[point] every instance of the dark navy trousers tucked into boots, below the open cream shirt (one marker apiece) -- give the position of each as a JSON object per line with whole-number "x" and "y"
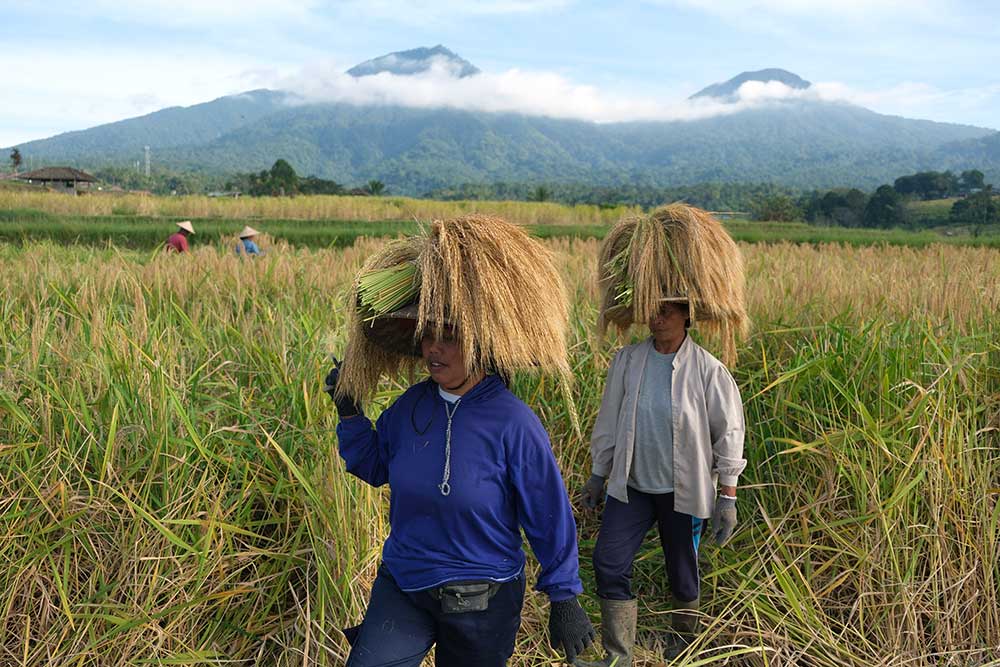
{"x": 623, "y": 527}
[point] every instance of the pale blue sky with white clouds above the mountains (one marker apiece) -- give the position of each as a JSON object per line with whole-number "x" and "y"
{"x": 70, "y": 65}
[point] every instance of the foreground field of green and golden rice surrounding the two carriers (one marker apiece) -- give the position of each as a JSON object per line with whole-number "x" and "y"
{"x": 170, "y": 491}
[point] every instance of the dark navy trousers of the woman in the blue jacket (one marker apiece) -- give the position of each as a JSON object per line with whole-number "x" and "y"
{"x": 400, "y": 628}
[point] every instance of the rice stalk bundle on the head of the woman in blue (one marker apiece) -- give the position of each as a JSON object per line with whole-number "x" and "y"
{"x": 485, "y": 277}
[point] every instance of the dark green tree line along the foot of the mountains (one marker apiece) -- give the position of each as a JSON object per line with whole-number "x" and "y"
{"x": 887, "y": 207}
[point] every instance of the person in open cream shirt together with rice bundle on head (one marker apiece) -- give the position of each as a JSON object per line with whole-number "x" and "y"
{"x": 670, "y": 428}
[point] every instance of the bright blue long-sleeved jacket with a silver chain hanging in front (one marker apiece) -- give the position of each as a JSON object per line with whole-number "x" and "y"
{"x": 504, "y": 477}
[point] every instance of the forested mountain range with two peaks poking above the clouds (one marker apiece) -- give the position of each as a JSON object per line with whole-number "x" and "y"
{"x": 799, "y": 143}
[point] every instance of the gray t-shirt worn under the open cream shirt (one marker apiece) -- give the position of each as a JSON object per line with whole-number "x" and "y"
{"x": 652, "y": 469}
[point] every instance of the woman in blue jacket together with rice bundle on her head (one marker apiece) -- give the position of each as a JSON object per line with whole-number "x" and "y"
{"x": 469, "y": 465}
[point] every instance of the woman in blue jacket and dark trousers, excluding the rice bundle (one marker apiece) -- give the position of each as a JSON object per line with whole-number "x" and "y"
{"x": 469, "y": 466}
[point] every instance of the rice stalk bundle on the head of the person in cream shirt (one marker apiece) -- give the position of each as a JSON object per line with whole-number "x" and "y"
{"x": 676, "y": 253}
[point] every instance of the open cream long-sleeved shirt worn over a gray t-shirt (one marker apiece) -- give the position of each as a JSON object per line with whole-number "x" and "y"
{"x": 708, "y": 425}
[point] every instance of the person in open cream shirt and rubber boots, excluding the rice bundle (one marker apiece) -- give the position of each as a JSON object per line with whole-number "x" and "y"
{"x": 670, "y": 427}
